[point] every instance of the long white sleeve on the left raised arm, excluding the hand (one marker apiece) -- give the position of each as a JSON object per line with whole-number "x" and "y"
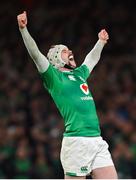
{"x": 39, "y": 59}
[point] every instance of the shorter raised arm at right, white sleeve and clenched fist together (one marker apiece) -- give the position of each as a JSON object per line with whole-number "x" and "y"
{"x": 93, "y": 56}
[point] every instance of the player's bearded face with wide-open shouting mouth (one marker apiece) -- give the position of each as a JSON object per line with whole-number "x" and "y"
{"x": 68, "y": 57}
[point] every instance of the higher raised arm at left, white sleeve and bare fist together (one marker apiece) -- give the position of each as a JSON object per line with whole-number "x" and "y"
{"x": 39, "y": 59}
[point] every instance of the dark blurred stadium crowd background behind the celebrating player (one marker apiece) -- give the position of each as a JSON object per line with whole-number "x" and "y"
{"x": 31, "y": 128}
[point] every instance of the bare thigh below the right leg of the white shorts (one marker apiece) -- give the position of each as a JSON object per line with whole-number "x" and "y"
{"x": 108, "y": 172}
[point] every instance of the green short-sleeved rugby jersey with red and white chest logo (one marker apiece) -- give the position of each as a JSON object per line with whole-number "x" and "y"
{"x": 72, "y": 97}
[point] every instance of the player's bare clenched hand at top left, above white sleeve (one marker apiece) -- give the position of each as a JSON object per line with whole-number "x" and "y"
{"x": 22, "y": 20}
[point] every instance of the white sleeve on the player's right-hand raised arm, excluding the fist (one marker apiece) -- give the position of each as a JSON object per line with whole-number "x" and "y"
{"x": 93, "y": 57}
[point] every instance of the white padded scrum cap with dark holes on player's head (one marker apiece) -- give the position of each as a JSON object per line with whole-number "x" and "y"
{"x": 54, "y": 56}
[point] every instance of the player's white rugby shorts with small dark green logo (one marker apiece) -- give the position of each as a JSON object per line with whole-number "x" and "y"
{"x": 80, "y": 155}
